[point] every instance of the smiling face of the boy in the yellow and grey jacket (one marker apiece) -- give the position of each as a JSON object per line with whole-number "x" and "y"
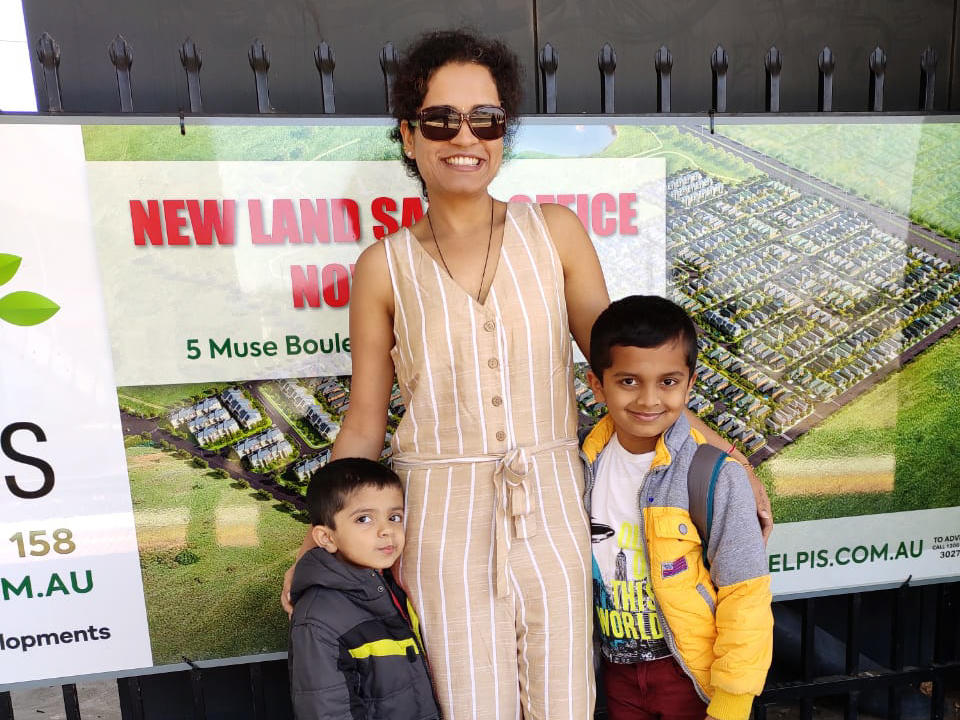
{"x": 645, "y": 390}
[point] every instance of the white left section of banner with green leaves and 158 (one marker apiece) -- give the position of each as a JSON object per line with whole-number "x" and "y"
{"x": 70, "y": 588}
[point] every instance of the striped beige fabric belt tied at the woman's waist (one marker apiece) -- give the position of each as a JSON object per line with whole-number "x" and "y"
{"x": 516, "y": 504}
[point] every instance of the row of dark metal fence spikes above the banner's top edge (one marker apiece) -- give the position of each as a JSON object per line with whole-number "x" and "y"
{"x": 120, "y": 54}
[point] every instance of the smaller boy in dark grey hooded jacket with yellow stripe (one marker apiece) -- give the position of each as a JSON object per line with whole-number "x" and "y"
{"x": 355, "y": 649}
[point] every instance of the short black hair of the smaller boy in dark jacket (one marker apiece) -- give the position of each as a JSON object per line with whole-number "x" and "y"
{"x": 332, "y": 484}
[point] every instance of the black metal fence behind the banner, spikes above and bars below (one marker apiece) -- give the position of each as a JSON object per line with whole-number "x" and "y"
{"x": 828, "y": 649}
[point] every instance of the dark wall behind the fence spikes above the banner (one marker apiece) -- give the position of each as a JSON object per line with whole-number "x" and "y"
{"x": 357, "y": 30}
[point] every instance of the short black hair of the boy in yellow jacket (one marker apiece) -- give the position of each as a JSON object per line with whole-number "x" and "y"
{"x": 641, "y": 321}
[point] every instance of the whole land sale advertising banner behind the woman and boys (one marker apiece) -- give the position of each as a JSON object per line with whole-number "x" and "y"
{"x": 201, "y": 283}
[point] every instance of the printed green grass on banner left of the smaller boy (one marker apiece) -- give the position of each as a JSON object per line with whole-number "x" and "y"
{"x": 225, "y": 604}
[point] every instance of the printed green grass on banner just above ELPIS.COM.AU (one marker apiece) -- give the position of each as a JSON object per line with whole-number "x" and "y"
{"x": 911, "y": 415}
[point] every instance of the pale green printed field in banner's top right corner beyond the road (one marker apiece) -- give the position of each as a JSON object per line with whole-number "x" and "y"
{"x": 913, "y": 169}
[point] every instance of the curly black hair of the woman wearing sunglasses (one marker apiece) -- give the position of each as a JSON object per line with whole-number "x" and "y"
{"x": 434, "y": 50}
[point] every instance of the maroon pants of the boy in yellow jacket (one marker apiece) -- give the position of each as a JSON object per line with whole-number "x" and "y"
{"x": 655, "y": 690}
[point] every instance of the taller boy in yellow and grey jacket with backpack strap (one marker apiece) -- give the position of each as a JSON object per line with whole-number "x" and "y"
{"x": 675, "y": 635}
